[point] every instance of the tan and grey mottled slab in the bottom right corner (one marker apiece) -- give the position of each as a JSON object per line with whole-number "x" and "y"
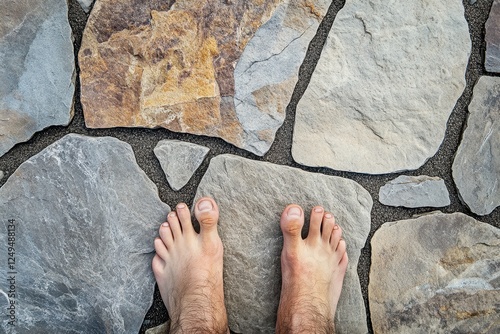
{"x": 435, "y": 274}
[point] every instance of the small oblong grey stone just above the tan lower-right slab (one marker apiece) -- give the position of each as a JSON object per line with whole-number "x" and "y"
{"x": 415, "y": 192}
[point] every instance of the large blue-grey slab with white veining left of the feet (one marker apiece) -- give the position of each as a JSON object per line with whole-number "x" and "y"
{"x": 85, "y": 219}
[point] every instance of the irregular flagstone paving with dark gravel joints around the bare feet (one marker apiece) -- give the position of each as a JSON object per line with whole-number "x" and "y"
{"x": 386, "y": 89}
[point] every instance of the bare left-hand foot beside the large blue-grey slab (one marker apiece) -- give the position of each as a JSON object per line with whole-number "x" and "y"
{"x": 188, "y": 270}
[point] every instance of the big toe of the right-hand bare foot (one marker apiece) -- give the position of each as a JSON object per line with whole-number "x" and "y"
{"x": 292, "y": 221}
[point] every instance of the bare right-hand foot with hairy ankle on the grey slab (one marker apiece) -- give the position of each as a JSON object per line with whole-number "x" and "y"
{"x": 312, "y": 269}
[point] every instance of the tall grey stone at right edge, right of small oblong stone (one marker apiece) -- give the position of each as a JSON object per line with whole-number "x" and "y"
{"x": 476, "y": 169}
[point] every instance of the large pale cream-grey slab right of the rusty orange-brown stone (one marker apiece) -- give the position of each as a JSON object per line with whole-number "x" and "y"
{"x": 381, "y": 94}
